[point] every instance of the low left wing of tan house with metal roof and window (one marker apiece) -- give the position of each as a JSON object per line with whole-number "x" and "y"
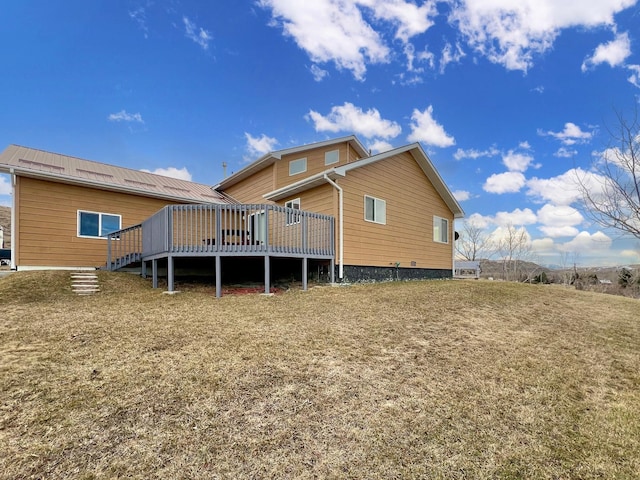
{"x": 63, "y": 206}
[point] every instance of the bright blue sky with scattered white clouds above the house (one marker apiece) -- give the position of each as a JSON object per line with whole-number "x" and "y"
{"x": 508, "y": 97}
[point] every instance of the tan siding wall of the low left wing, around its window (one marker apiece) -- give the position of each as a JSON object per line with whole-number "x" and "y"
{"x": 47, "y": 222}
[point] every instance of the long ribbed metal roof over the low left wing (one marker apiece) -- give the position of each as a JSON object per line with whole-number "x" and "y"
{"x": 35, "y": 163}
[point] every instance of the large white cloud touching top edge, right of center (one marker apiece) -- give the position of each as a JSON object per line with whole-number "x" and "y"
{"x": 511, "y": 33}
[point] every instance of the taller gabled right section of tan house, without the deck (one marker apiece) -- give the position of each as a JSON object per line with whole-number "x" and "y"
{"x": 393, "y": 211}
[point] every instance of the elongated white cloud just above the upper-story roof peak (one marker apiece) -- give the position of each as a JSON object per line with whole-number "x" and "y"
{"x": 352, "y": 119}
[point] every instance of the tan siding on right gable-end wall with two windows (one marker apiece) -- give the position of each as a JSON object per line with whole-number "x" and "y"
{"x": 411, "y": 203}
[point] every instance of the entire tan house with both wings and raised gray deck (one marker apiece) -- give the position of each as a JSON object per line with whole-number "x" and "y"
{"x": 331, "y": 204}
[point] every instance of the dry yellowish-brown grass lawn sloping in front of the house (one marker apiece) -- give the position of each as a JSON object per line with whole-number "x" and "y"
{"x": 439, "y": 379}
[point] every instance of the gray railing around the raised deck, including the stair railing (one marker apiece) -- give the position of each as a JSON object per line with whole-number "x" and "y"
{"x": 203, "y": 230}
